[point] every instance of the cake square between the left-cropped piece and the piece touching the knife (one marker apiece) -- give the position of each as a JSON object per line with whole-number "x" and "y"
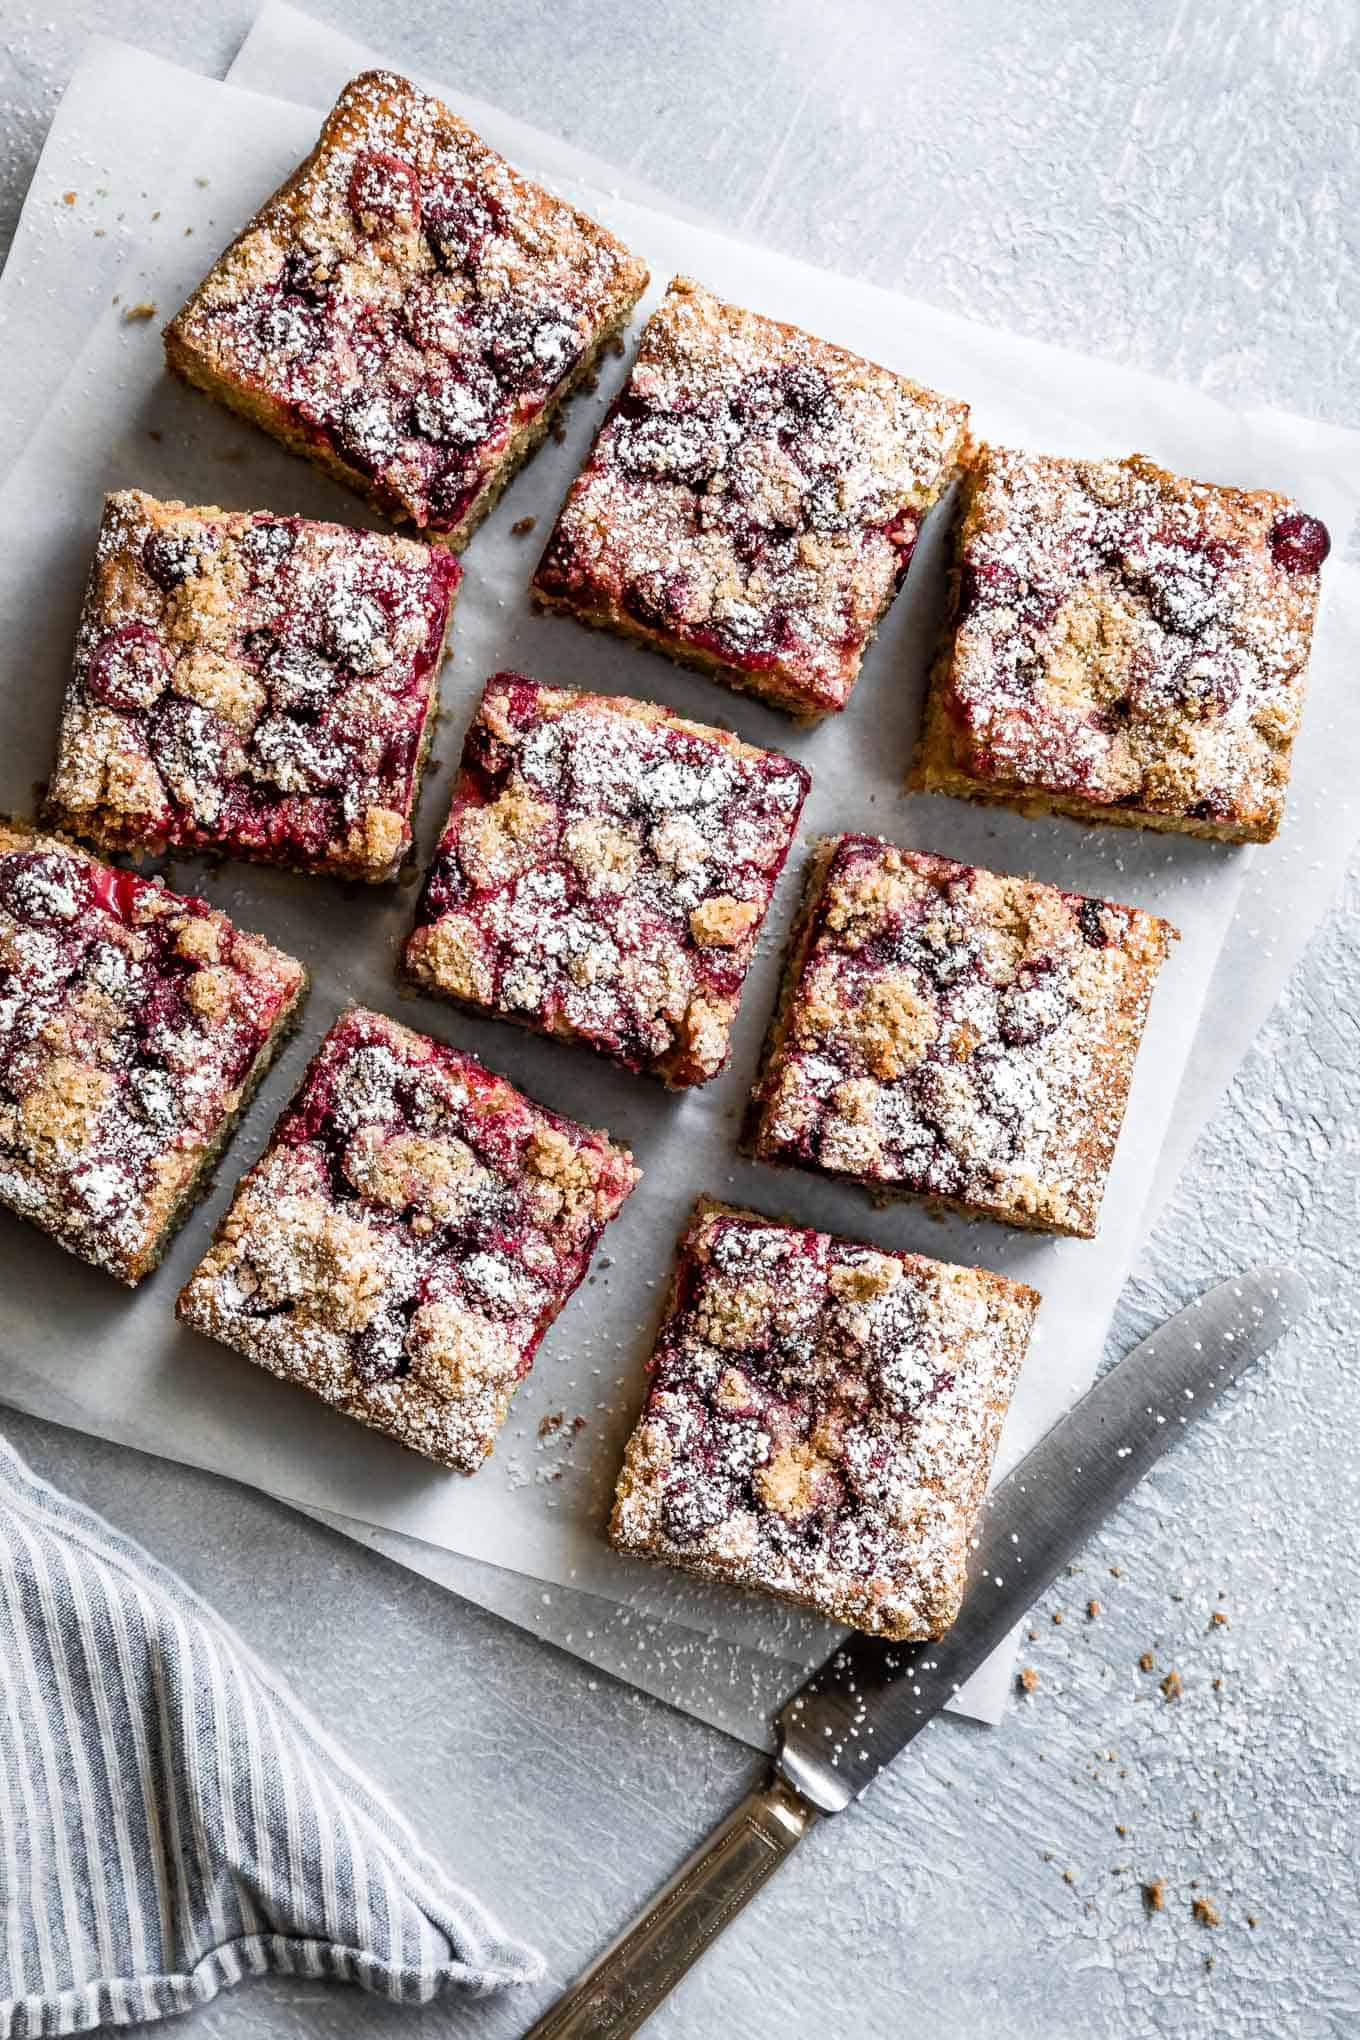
{"x": 409, "y": 1237}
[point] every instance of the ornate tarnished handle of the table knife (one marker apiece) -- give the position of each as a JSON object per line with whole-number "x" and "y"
{"x": 625, "y": 1986}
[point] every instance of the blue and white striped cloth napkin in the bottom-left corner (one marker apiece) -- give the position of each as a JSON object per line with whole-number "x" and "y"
{"x": 170, "y": 1819}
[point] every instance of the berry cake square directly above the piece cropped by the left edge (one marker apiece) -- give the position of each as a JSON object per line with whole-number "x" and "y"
{"x": 252, "y": 684}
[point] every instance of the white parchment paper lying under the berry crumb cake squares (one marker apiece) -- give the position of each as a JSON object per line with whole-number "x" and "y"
{"x": 85, "y": 1354}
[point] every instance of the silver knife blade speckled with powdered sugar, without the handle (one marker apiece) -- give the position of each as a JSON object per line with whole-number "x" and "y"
{"x": 872, "y": 1698}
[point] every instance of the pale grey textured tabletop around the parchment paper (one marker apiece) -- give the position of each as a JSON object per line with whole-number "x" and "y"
{"x": 1163, "y": 185}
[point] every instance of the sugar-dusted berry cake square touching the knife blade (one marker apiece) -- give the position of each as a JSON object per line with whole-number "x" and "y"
{"x": 821, "y": 1421}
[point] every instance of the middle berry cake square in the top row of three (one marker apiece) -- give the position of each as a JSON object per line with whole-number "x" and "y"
{"x": 753, "y": 501}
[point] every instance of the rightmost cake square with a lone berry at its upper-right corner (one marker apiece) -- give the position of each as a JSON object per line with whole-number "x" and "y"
{"x": 1131, "y": 648}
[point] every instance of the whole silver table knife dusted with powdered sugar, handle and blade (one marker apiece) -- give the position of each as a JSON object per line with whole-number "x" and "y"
{"x": 872, "y": 1698}
